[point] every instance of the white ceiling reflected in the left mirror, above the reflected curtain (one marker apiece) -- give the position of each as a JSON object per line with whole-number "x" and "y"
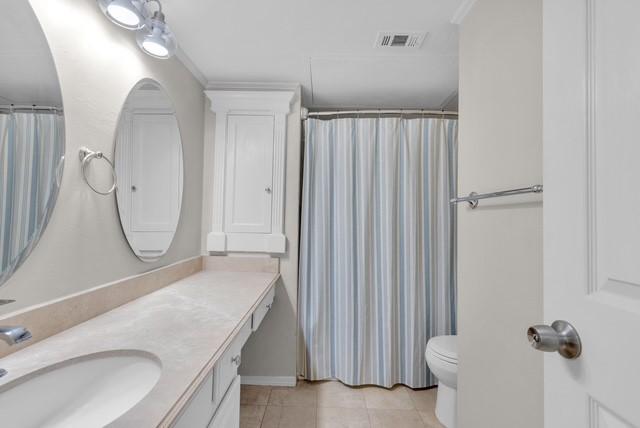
{"x": 28, "y": 75}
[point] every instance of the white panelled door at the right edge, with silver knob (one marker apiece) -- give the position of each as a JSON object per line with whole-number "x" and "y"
{"x": 591, "y": 60}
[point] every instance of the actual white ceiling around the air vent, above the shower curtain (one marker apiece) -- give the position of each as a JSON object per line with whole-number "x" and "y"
{"x": 326, "y": 46}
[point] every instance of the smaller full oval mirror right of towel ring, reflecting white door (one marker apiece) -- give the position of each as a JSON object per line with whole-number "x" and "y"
{"x": 148, "y": 160}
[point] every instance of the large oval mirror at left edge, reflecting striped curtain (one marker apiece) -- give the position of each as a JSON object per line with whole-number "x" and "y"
{"x": 31, "y": 134}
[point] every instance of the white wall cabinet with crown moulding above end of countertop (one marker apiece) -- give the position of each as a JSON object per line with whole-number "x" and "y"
{"x": 249, "y": 170}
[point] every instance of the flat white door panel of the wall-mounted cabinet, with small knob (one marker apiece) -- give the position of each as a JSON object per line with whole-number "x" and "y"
{"x": 249, "y": 173}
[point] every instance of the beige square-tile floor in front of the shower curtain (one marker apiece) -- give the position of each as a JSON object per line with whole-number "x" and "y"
{"x": 334, "y": 405}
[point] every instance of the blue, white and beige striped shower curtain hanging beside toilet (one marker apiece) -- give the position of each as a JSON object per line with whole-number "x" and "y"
{"x": 377, "y": 274}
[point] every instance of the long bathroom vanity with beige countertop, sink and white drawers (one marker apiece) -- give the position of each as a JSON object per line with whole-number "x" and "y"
{"x": 189, "y": 333}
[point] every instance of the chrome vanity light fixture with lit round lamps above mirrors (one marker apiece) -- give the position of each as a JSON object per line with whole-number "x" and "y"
{"x": 153, "y": 34}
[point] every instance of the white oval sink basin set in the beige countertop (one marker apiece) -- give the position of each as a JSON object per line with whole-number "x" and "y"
{"x": 89, "y": 391}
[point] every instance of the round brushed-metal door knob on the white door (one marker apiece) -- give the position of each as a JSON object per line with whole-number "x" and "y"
{"x": 560, "y": 337}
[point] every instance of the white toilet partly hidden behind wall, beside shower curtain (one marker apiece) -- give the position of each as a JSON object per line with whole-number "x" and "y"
{"x": 442, "y": 359}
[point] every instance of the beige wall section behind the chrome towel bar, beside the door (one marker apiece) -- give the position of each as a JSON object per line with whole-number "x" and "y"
{"x": 500, "y": 243}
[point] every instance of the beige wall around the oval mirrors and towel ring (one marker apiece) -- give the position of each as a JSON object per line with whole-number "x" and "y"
{"x": 98, "y": 63}
